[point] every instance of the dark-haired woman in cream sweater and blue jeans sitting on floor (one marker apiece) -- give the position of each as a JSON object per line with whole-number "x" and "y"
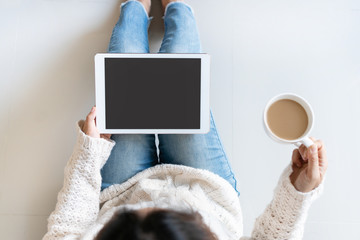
{"x": 117, "y": 187}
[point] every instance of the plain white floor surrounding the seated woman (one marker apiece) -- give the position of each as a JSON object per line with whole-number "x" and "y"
{"x": 258, "y": 48}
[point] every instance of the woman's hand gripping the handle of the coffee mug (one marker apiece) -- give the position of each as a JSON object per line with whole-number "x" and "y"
{"x": 309, "y": 166}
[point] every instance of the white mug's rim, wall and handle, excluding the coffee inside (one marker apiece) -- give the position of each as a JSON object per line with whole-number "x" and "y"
{"x": 304, "y": 139}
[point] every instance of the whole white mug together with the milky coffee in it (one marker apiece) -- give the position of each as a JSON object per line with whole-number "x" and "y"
{"x": 288, "y": 118}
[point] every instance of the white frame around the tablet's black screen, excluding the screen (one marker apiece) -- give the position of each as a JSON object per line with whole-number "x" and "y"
{"x": 204, "y": 93}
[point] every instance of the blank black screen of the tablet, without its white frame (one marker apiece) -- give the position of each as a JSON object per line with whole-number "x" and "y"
{"x": 152, "y": 93}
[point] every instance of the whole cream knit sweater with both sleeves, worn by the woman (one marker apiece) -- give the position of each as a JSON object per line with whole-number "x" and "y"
{"x": 82, "y": 210}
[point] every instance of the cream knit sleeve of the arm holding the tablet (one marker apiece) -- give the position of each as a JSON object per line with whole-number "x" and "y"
{"x": 78, "y": 201}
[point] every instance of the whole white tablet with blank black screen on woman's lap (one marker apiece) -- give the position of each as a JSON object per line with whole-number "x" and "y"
{"x": 152, "y": 93}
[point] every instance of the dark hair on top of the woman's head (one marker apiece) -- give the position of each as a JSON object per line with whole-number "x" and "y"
{"x": 156, "y": 225}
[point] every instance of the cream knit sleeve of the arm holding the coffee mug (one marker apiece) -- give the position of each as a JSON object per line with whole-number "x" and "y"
{"x": 285, "y": 216}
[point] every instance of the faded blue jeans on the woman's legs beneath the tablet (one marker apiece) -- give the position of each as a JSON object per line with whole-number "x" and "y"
{"x": 134, "y": 153}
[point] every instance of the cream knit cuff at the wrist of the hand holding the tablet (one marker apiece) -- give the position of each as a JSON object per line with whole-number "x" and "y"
{"x": 95, "y": 146}
